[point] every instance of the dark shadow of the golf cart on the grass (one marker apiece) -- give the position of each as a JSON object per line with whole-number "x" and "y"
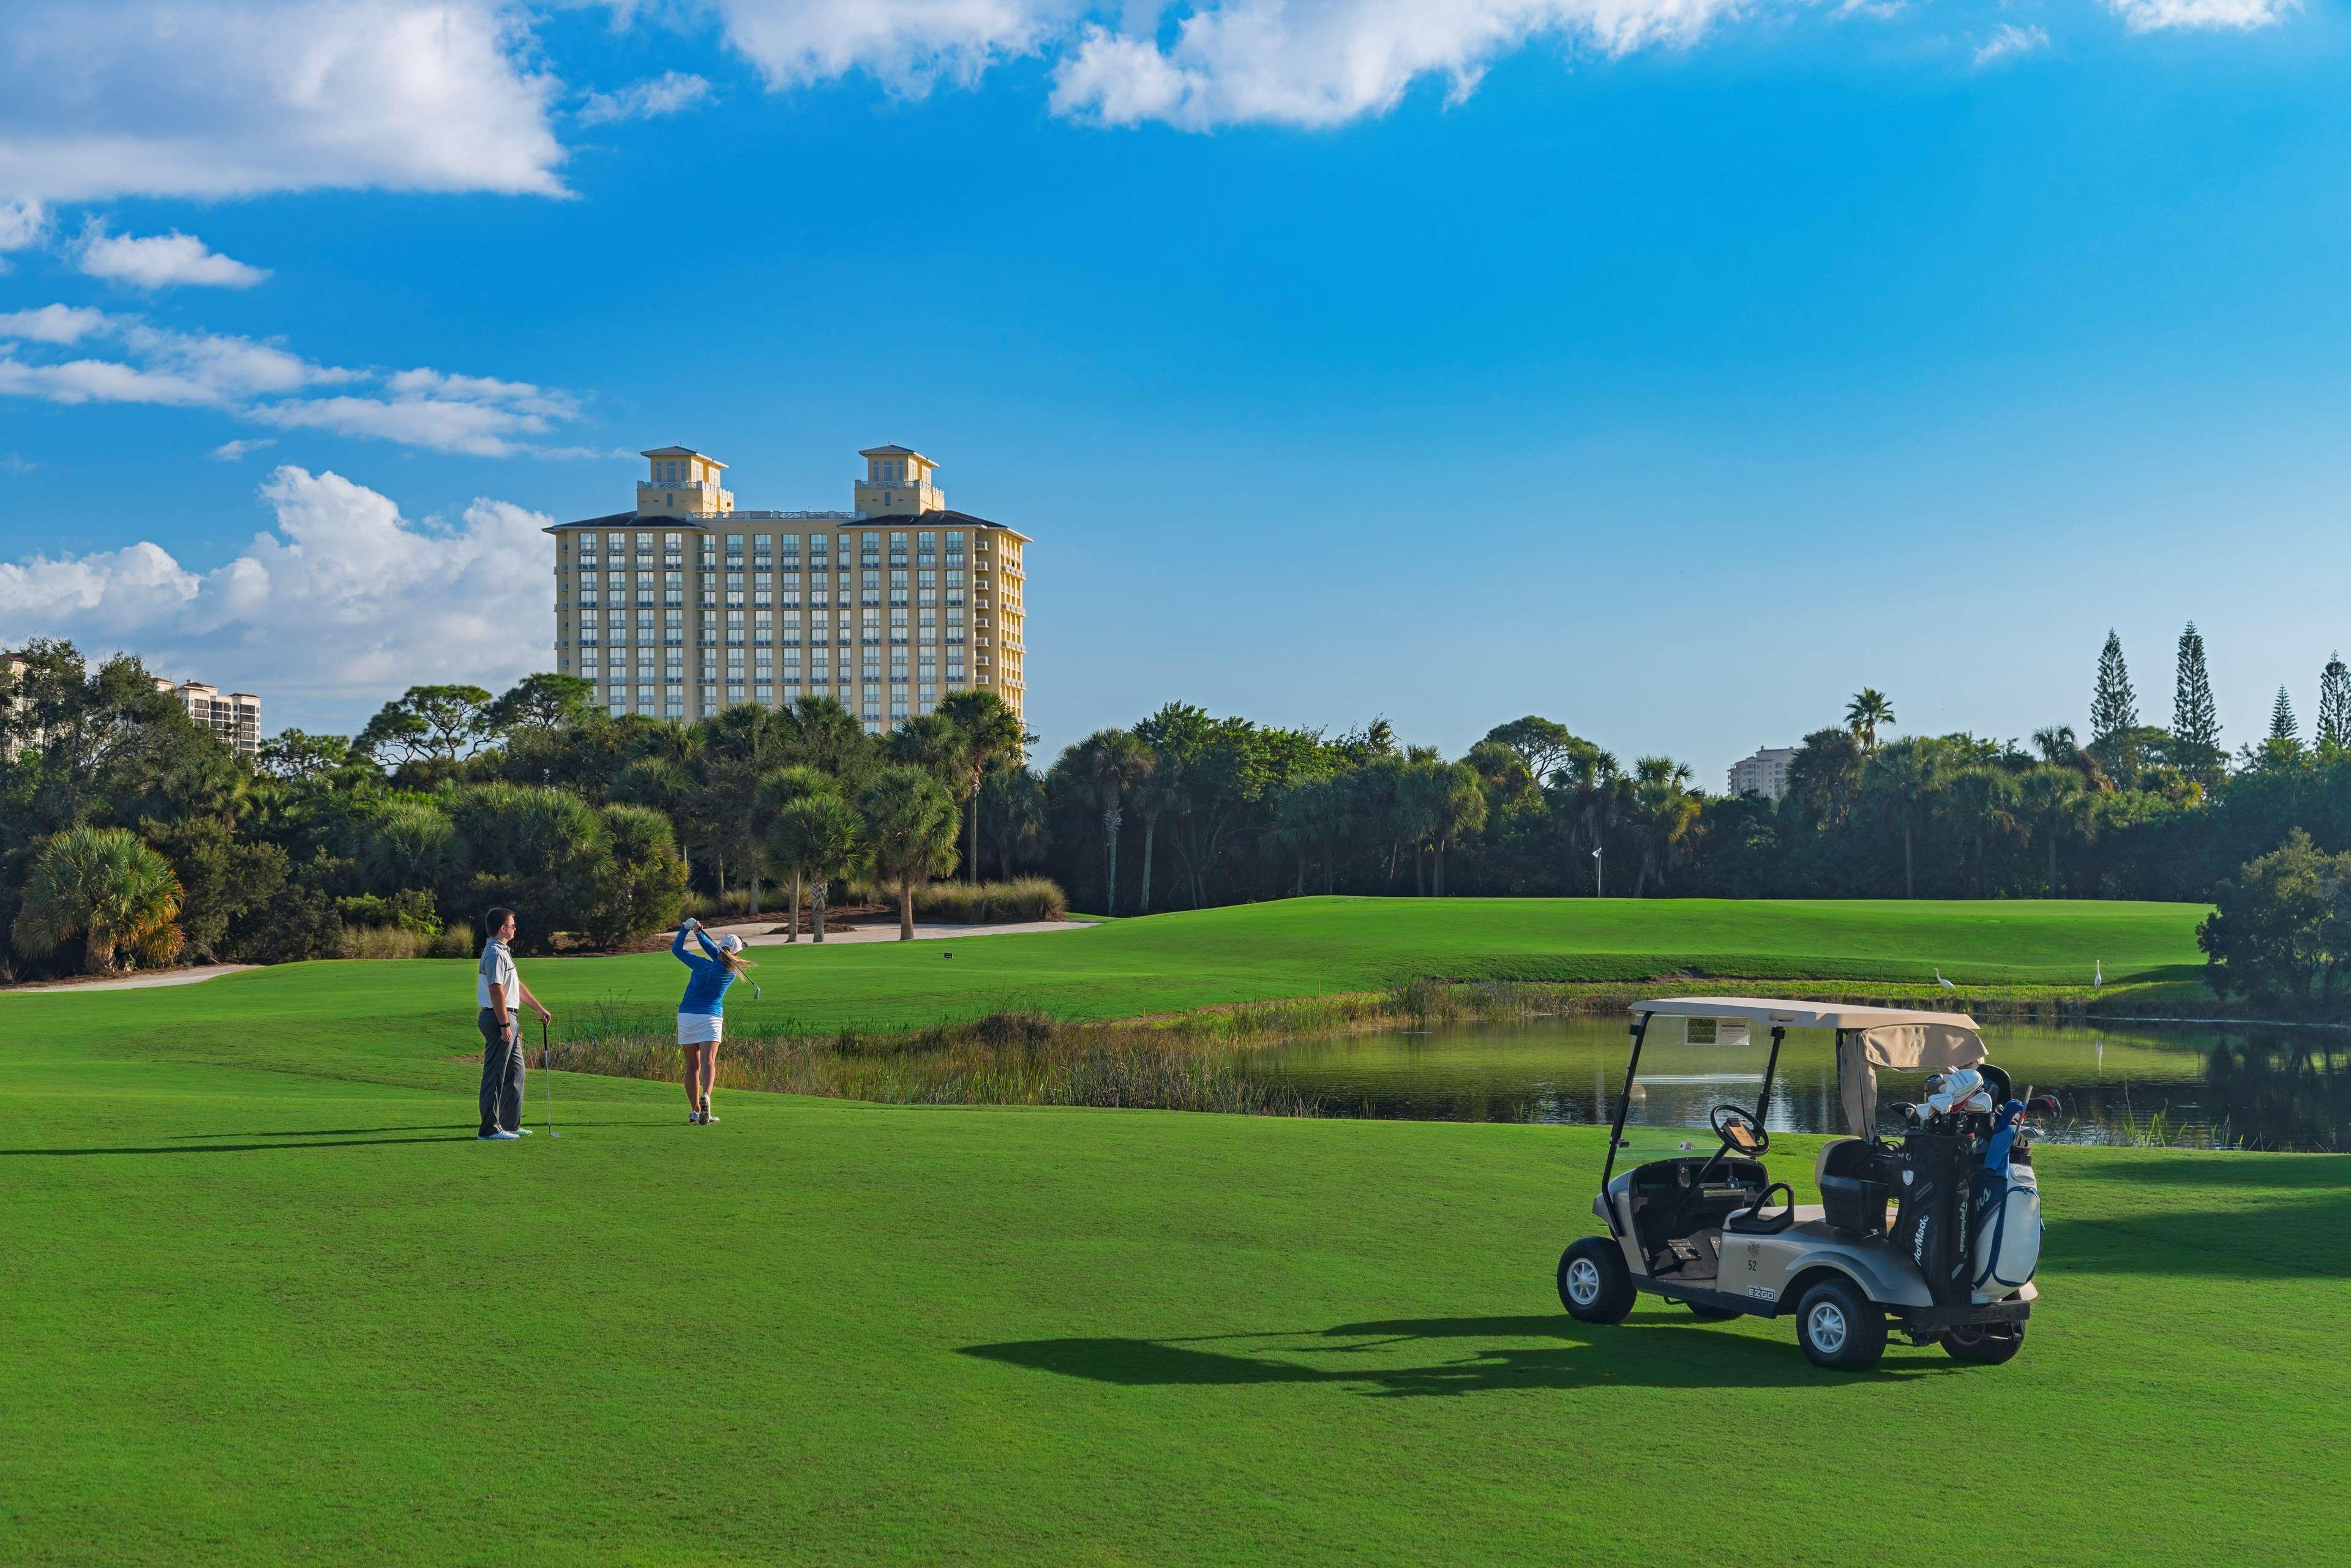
{"x": 1365, "y": 1358}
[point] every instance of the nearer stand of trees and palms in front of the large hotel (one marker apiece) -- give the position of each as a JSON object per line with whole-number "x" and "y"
{"x": 133, "y": 836}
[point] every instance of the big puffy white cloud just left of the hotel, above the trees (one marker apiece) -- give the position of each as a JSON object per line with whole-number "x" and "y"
{"x": 342, "y": 605}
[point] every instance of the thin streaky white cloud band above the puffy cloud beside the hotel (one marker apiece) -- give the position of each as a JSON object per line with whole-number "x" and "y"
{"x": 276, "y": 387}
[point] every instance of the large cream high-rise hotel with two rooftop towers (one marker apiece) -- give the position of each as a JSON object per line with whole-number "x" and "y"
{"x": 688, "y": 605}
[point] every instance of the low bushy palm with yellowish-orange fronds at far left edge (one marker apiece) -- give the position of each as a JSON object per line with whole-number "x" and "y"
{"x": 105, "y": 885}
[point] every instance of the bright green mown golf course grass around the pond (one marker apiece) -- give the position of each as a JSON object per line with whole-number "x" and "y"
{"x": 269, "y": 1301}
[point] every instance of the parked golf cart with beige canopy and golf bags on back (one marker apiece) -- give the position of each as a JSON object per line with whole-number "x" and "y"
{"x": 1936, "y": 1233}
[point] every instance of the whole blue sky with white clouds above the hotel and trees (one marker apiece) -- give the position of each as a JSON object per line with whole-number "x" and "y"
{"x": 1659, "y": 366}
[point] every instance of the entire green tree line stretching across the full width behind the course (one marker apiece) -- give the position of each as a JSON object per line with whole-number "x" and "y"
{"x": 598, "y": 826}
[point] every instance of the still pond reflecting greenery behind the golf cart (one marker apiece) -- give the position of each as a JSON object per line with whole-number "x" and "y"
{"x": 2143, "y": 1085}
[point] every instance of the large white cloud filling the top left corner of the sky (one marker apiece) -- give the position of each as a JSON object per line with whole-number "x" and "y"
{"x": 236, "y": 98}
